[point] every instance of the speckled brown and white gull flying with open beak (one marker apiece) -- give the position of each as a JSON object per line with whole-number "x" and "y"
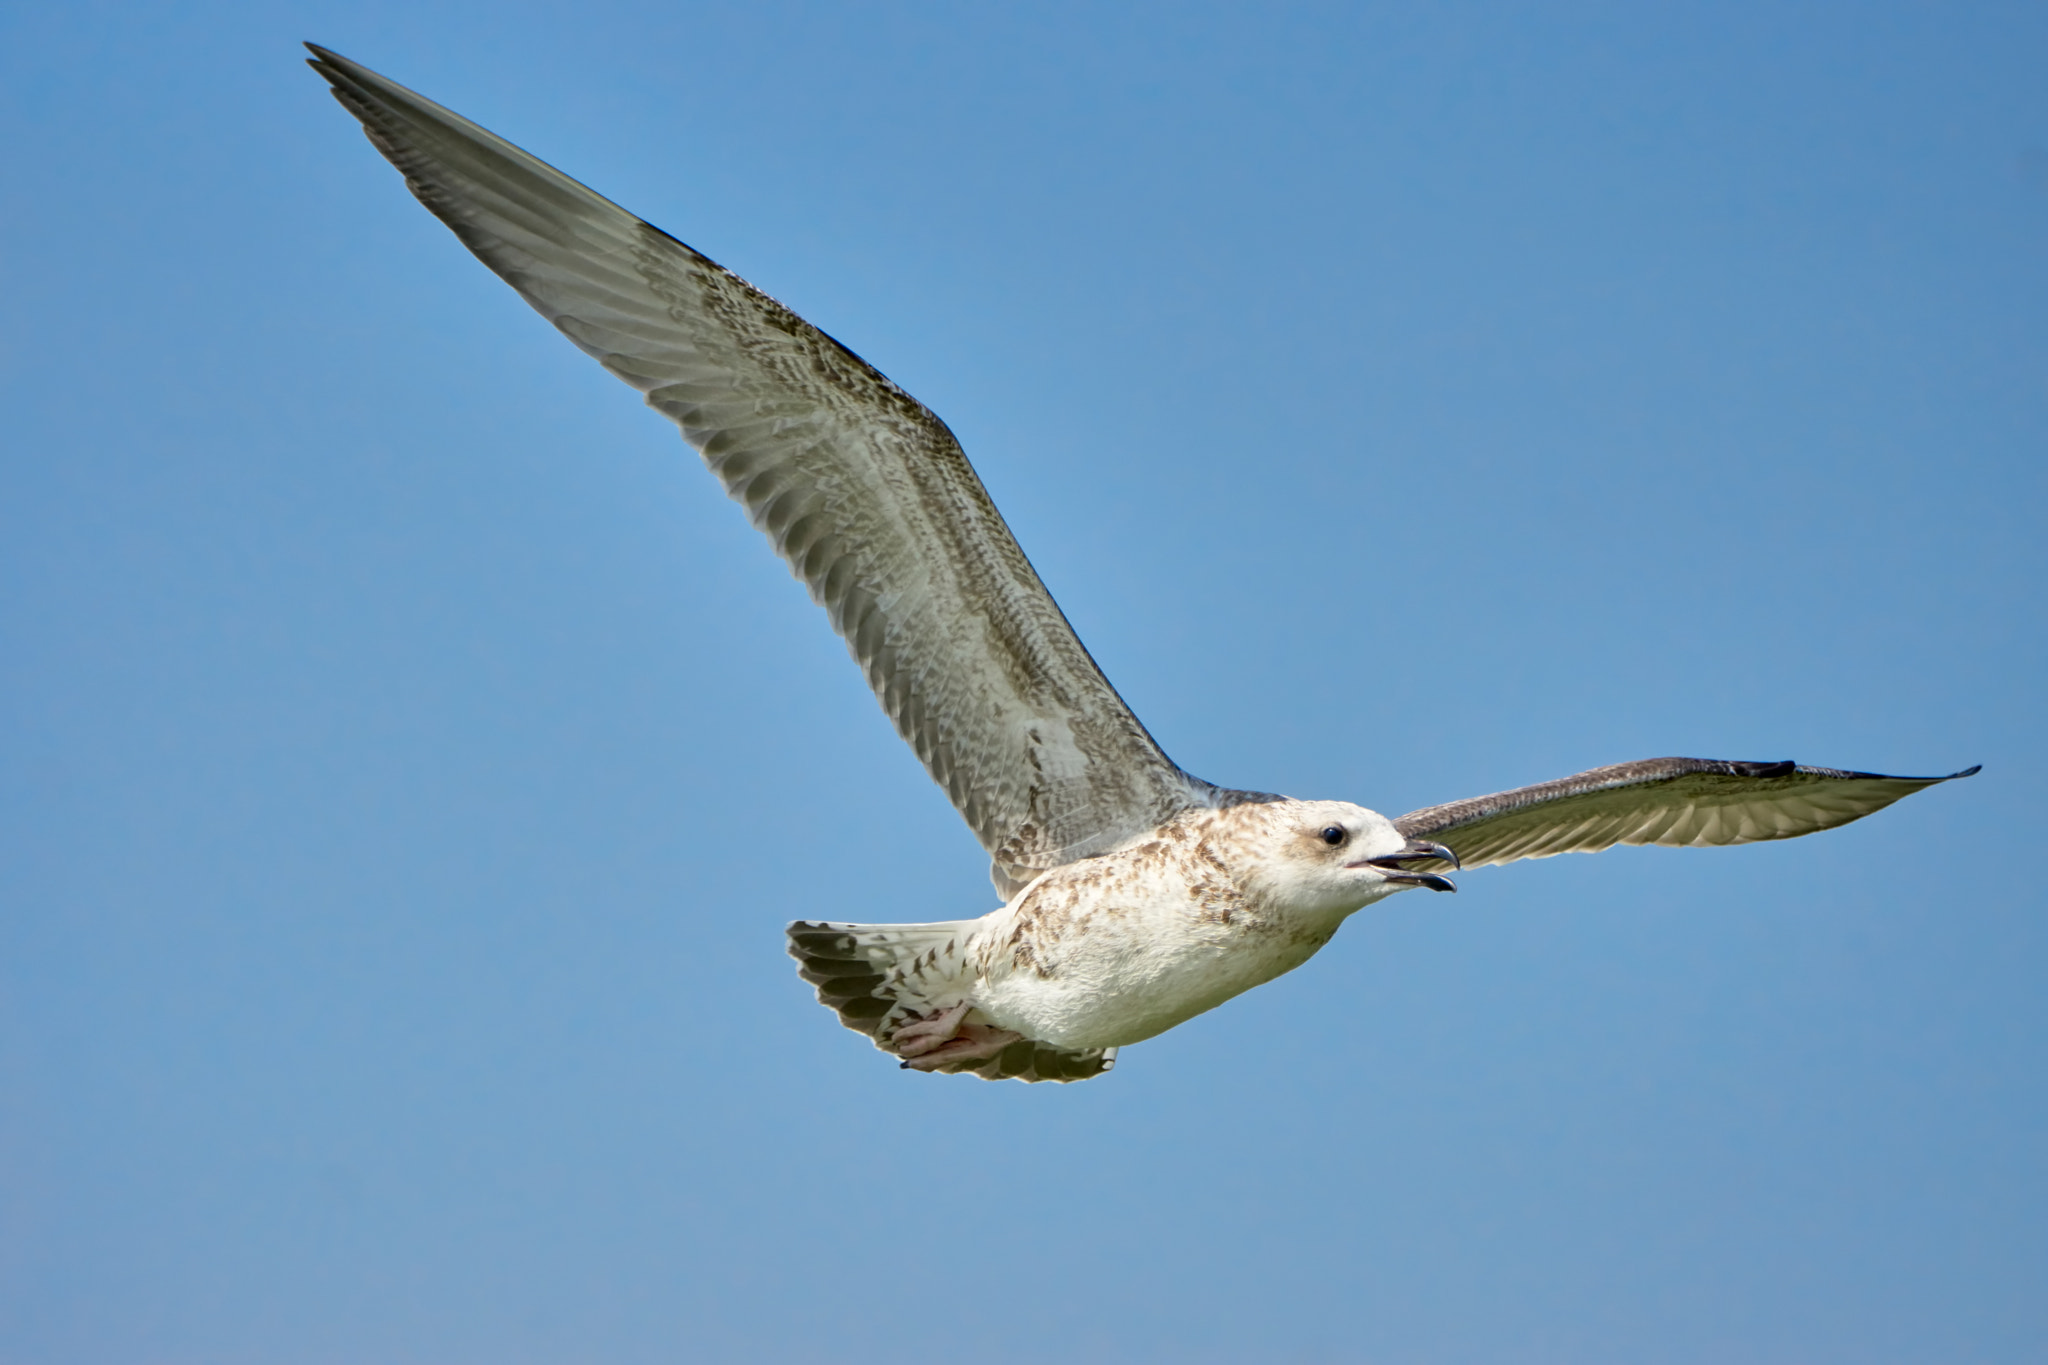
{"x": 1136, "y": 895}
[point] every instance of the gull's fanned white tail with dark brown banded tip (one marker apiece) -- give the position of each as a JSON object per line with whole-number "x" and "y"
{"x": 880, "y": 977}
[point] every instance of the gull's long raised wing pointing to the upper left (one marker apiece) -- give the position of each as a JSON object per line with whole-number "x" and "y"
{"x": 859, "y": 486}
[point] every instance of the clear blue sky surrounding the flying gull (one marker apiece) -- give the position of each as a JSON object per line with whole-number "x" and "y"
{"x": 409, "y": 758}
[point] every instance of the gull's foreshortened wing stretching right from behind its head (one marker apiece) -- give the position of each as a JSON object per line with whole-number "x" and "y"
{"x": 1676, "y": 803}
